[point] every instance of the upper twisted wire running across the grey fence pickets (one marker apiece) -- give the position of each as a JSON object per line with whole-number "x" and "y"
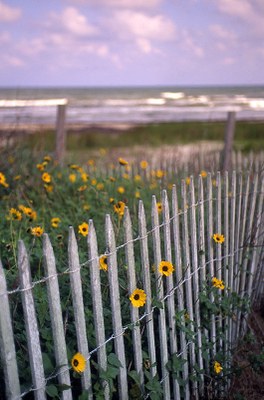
{"x": 119, "y": 247}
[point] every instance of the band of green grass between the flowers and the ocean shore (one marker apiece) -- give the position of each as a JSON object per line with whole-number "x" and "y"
{"x": 248, "y": 136}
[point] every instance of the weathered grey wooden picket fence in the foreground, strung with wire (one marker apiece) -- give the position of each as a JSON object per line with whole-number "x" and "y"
{"x": 233, "y": 206}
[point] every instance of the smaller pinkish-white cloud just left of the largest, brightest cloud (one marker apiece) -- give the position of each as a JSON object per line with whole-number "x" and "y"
{"x": 73, "y": 22}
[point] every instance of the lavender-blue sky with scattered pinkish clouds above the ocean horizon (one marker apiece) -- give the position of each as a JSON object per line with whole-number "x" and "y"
{"x": 131, "y": 42}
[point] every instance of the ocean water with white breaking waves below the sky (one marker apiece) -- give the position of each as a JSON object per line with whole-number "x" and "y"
{"x": 135, "y": 104}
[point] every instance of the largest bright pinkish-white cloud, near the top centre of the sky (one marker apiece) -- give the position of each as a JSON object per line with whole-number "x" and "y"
{"x": 139, "y": 25}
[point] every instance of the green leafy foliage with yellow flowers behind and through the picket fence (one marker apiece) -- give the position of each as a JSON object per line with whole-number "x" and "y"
{"x": 75, "y": 201}
